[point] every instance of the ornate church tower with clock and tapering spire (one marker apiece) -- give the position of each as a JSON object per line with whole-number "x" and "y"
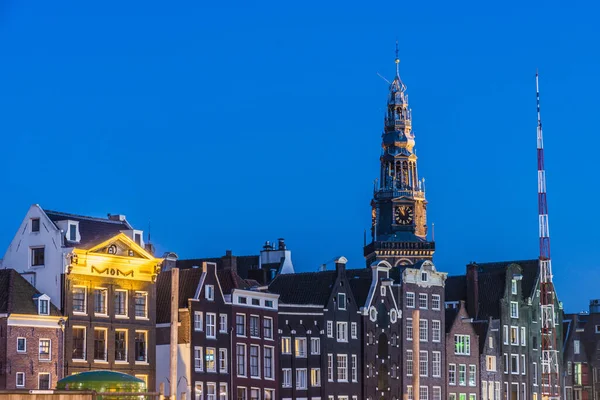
{"x": 399, "y": 208}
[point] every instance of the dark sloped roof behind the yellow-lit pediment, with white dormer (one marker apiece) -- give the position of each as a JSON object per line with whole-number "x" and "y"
{"x": 93, "y": 230}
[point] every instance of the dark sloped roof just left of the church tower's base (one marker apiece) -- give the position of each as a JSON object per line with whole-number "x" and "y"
{"x": 304, "y": 288}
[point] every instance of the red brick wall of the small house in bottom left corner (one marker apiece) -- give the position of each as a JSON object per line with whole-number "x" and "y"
{"x": 29, "y": 362}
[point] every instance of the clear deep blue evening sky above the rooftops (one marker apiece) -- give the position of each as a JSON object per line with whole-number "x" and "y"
{"x": 226, "y": 126}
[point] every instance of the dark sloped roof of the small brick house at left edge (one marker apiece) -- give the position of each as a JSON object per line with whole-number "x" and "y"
{"x": 17, "y": 295}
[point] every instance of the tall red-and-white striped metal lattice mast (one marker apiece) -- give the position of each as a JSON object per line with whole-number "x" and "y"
{"x": 550, "y": 362}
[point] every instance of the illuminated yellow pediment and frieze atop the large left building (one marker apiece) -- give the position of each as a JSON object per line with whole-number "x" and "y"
{"x": 118, "y": 257}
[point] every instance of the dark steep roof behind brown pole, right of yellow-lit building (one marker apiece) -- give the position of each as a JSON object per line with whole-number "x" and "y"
{"x": 188, "y": 283}
